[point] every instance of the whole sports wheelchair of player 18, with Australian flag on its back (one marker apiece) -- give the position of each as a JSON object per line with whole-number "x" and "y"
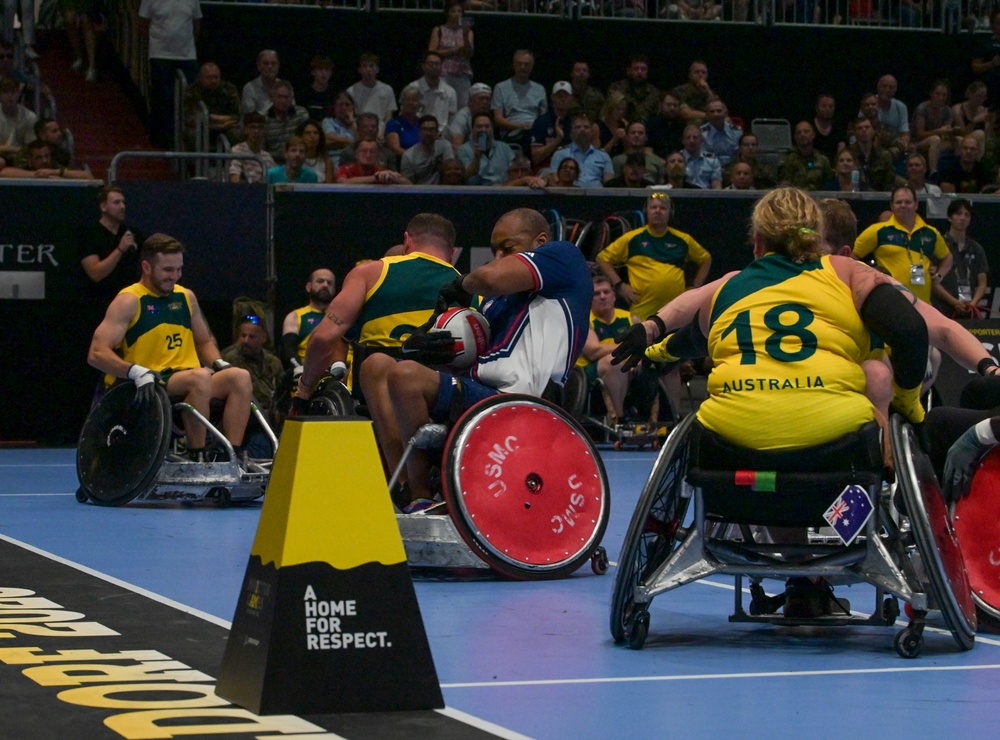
{"x": 912, "y": 556}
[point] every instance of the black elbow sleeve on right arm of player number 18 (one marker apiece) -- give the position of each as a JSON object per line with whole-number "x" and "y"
{"x": 887, "y": 313}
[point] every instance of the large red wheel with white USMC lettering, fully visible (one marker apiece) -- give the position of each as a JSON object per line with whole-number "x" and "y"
{"x": 525, "y": 487}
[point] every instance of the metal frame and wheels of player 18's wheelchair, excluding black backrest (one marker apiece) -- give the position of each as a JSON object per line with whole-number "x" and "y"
{"x": 662, "y": 552}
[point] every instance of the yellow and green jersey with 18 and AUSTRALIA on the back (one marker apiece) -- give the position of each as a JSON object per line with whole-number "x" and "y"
{"x": 787, "y": 343}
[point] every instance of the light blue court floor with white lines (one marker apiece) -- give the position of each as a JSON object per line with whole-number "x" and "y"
{"x": 536, "y": 658}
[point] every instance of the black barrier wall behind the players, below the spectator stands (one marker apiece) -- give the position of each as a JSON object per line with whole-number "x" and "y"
{"x": 47, "y": 384}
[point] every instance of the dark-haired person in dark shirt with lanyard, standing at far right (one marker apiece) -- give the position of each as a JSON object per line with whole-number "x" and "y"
{"x": 960, "y": 291}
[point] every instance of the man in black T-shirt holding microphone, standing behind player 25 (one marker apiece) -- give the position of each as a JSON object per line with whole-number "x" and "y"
{"x": 108, "y": 248}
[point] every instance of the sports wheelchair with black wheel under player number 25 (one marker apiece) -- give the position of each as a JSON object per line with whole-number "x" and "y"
{"x": 130, "y": 453}
